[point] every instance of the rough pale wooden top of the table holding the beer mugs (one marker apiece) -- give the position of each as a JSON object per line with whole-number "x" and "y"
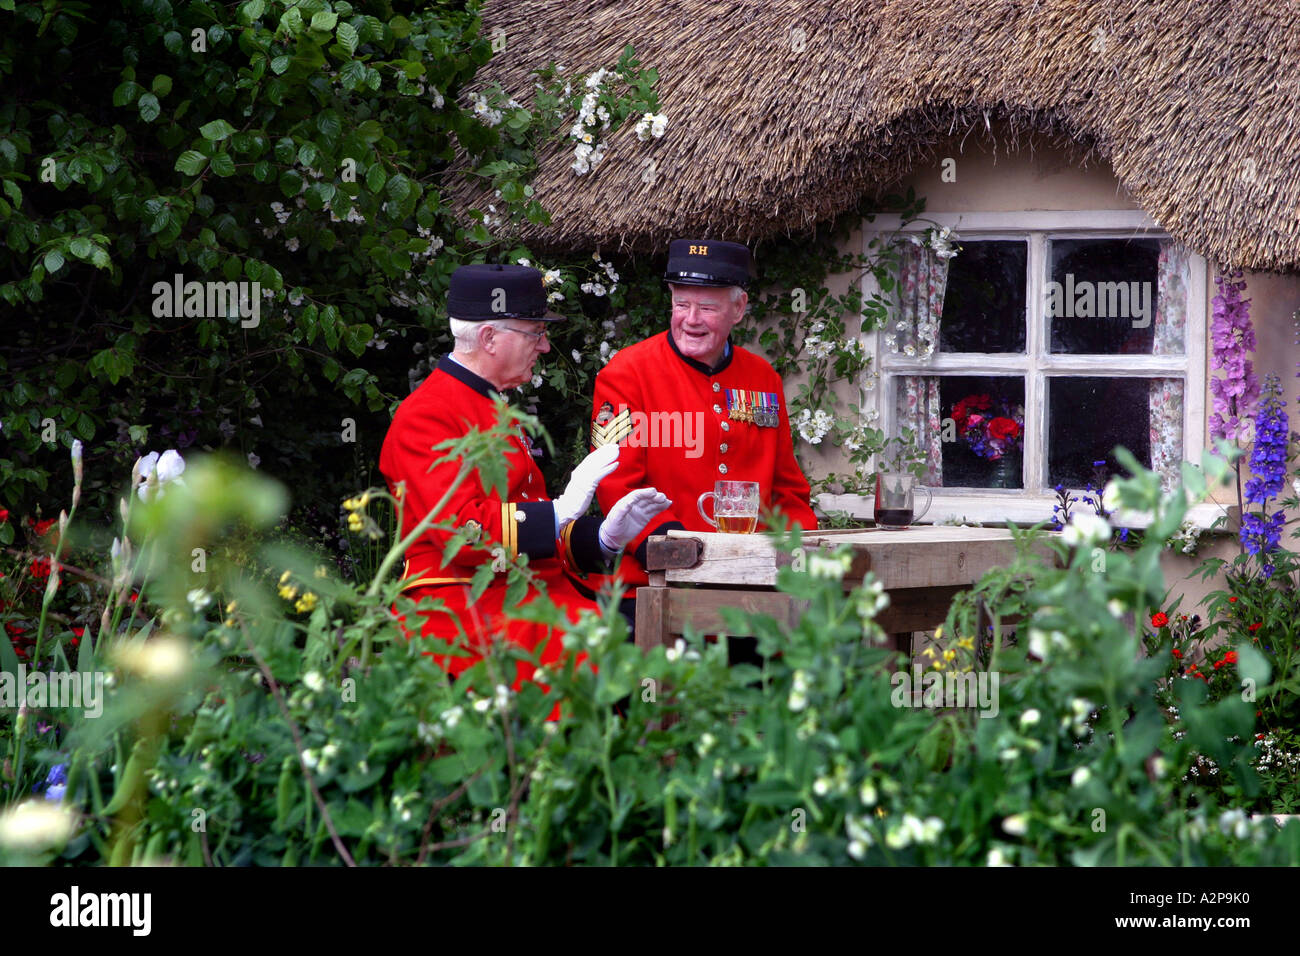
{"x": 913, "y": 559}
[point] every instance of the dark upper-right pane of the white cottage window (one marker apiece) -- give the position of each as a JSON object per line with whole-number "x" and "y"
{"x": 1102, "y": 296}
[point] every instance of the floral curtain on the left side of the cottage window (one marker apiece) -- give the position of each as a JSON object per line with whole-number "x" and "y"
{"x": 922, "y": 280}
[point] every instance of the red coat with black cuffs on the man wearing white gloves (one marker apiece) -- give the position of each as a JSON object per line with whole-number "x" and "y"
{"x": 450, "y": 403}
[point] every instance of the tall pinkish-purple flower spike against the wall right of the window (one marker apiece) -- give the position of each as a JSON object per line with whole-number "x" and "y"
{"x": 1232, "y": 338}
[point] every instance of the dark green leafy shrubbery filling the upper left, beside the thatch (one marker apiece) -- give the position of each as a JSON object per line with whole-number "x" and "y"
{"x": 301, "y": 146}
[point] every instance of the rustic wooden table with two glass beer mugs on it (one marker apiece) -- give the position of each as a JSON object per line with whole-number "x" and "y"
{"x": 922, "y": 569}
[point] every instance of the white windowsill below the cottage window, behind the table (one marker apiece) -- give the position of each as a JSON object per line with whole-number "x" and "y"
{"x": 1000, "y": 508}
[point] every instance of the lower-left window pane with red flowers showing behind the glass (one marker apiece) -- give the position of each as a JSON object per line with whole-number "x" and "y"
{"x": 987, "y": 426}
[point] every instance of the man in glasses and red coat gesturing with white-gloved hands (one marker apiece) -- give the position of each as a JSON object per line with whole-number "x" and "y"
{"x": 500, "y": 321}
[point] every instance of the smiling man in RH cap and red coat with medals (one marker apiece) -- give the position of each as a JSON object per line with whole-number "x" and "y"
{"x": 690, "y": 408}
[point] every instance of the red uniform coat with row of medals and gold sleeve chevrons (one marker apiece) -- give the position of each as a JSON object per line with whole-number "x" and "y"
{"x": 674, "y": 418}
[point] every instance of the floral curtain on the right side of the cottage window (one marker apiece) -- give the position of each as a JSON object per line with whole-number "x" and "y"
{"x": 1165, "y": 397}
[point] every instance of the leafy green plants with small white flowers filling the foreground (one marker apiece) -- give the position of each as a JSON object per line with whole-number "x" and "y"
{"x": 262, "y": 729}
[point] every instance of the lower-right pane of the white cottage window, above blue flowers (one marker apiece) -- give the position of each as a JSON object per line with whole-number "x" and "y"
{"x": 1089, "y": 417}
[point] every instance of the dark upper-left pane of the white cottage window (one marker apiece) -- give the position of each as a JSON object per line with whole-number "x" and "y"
{"x": 985, "y": 299}
